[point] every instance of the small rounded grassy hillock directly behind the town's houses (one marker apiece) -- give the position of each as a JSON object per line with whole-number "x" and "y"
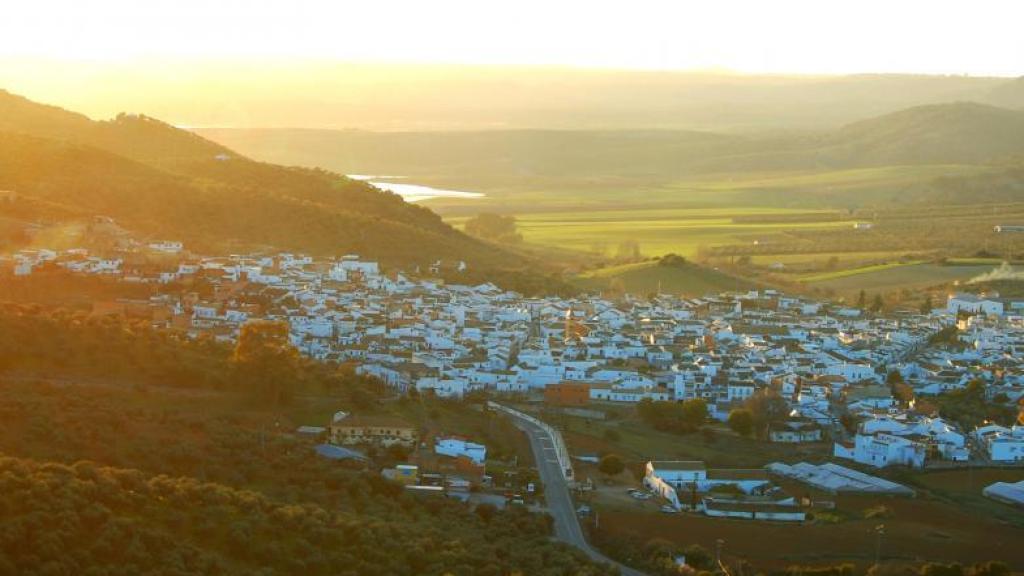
{"x": 646, "y": 278}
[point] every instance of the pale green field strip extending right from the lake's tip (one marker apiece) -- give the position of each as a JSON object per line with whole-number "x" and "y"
{"x": 742, "y": 193}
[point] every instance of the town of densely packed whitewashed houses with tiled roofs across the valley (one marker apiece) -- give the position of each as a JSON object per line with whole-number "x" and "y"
{"x": 415, "y": 332}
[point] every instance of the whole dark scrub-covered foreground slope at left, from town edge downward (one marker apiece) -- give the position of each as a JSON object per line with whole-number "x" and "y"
{"x": 124, "y": 455}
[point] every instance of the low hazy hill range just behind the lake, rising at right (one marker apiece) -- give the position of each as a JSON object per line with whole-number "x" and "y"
{"x": 947, "y": 134}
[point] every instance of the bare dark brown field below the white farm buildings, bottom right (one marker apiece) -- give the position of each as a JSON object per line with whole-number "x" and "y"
{"x": 916, "y": 530}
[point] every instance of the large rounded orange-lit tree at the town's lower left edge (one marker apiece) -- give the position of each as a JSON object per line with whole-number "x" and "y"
{"x": 266, "y": 361}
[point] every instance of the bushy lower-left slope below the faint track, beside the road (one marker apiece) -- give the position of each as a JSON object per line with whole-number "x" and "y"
{"x": 193, "y": 493}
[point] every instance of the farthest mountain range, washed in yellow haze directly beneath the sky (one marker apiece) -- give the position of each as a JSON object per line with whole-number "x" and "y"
{"x": 396, "y": 98}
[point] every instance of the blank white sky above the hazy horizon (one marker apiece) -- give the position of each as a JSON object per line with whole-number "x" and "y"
{"x": 978, "y": 37}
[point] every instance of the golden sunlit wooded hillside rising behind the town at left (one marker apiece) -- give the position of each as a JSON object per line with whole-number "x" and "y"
{"x": 163, "y": 182}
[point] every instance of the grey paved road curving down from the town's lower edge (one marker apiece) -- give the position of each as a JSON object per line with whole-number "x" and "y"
{"x": 558, "y": 495}
